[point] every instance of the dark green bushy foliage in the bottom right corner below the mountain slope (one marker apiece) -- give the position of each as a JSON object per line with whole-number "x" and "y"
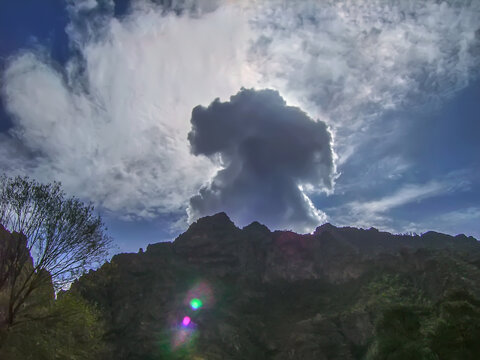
{"x": 449, "y": 329}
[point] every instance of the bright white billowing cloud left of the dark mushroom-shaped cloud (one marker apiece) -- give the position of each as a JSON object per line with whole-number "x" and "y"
{"x": 112, "y": 126}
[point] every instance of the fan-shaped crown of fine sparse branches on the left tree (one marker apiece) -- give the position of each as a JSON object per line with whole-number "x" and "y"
{"x": 63, "y": 235}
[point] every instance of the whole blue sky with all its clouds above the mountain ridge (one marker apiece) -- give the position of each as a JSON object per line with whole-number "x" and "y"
{"x": 291, "y": 113}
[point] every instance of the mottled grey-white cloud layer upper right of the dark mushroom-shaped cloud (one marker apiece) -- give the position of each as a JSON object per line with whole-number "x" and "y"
{"x": 348, "y": 62}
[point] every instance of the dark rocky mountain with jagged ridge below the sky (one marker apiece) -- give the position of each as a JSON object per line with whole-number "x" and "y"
{"x": 339, "y": 293}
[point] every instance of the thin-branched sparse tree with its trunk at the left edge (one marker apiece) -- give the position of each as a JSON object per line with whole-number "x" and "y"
{"x": 62, "y": 235}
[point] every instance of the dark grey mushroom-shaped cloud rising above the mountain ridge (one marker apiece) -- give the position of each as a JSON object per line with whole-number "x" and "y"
{"x": 268, "y": 151}
